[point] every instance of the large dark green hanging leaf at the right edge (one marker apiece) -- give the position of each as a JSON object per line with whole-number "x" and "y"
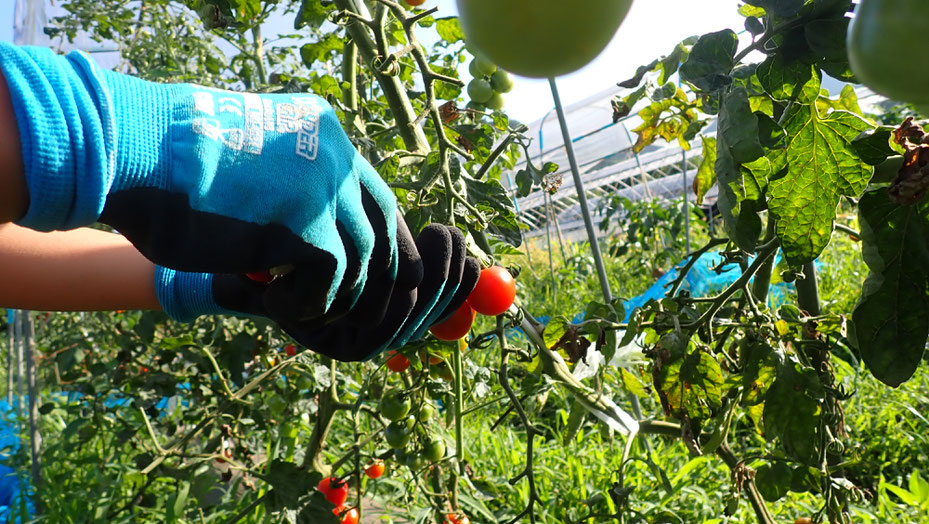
{"x": 891, "y": 319}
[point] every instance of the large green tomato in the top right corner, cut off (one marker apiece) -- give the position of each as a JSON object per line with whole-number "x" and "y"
{"x": 885, "y": 48}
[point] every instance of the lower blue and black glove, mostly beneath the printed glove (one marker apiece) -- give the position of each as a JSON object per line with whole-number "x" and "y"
{"x": 434, "y": 277}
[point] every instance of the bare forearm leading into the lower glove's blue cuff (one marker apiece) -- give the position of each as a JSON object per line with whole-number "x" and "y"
{"x": 79, "y": 270}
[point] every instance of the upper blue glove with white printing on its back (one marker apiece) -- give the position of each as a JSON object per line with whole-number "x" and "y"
{"x": 199, "y": 179}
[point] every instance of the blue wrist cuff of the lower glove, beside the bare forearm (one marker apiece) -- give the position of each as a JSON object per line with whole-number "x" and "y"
{"x": 186, "y": 296}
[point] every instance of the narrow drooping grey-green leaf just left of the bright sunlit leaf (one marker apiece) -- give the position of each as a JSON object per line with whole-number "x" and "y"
{"x": 739, "y": 191}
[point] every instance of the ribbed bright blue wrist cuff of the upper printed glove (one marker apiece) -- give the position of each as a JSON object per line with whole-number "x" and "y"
{"x": 66, "y": 133}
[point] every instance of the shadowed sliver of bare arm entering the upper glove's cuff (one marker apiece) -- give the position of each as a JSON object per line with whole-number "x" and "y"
{"x": 14, "y": 197}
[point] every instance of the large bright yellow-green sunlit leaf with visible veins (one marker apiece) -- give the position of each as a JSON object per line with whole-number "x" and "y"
{"x": 822, "y": 167}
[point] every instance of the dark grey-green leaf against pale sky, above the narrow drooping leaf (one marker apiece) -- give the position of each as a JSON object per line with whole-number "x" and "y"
{"x": 711, "y": 61}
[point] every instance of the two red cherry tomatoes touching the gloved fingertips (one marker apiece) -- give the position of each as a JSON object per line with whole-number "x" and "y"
{"x": 493, "y": 295}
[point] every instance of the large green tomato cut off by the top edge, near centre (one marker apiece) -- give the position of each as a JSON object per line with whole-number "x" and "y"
{"x": 541, "y": 38}
